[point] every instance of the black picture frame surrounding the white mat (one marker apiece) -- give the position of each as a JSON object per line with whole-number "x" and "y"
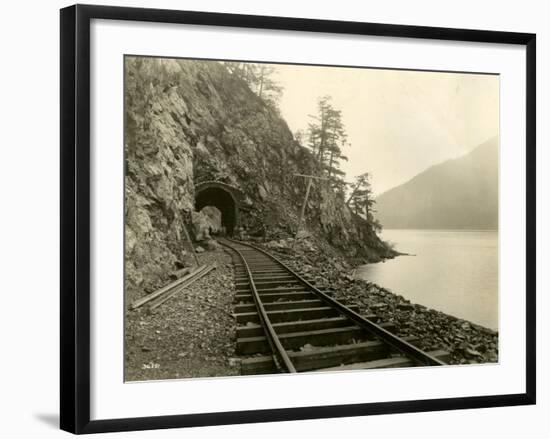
{"x": 75, "y": 217}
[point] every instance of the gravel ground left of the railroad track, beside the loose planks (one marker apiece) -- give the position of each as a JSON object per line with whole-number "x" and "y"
{"x": 190, "y": 335}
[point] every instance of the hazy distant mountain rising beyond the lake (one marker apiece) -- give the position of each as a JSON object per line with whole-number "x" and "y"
{"x": 457, "y": 194}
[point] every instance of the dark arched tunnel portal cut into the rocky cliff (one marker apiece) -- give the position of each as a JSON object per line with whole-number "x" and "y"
{"x": 226, "y": 198}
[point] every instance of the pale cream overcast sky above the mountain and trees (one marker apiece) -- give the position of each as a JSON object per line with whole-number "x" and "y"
{"x": 398, "y": 122}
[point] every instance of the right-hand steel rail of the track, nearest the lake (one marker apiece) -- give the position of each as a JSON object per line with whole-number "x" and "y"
{"x": 401, "y": 345}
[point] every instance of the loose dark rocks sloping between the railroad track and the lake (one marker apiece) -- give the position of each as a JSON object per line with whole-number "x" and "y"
{"x": 467, "y": 342}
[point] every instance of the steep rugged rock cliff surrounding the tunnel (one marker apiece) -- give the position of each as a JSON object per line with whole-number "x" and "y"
{"x": 188, "y": 122}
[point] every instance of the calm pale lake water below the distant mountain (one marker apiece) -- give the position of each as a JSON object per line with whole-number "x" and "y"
{"x": 452, "y": 271}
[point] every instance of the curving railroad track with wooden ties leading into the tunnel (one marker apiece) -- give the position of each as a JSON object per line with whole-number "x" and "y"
{"x": 285, "y": 324}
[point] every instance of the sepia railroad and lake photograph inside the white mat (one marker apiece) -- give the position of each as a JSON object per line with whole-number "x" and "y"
{"x": 295, "y": 218}
